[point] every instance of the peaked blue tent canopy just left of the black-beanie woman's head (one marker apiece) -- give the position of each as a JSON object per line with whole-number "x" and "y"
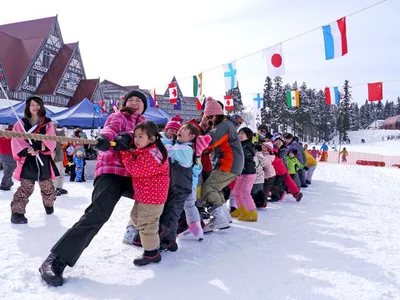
{"x": 81, "y": 115}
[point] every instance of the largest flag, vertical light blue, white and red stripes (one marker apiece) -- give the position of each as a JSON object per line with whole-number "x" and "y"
{"x": 335, "y": 39}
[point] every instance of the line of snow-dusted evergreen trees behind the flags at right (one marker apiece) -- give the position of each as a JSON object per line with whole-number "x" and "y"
{"x": 314, "y": 119}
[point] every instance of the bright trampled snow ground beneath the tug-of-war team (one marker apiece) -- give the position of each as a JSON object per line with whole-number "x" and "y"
{"x": 340, "y": 242}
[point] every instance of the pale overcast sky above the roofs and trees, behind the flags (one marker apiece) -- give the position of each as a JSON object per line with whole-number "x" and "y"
{"x": 147, "y": 42}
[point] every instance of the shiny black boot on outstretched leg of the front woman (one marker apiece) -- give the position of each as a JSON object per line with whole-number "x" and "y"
{"x": 52, "y": 269}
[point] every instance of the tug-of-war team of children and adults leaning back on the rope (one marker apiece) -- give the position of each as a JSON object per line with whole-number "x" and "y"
{"x": 162, "y": 173}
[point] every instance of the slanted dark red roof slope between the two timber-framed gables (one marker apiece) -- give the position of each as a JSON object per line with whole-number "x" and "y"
{"x": 50, "y": 81}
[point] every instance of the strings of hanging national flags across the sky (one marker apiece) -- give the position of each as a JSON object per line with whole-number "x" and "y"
{"x": 335, "y": 46}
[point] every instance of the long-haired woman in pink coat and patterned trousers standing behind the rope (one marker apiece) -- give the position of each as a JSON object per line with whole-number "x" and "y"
{"x": 27, "y": 156}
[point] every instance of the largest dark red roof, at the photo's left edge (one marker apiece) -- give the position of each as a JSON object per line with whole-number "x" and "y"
{"x": 19, "y": 42}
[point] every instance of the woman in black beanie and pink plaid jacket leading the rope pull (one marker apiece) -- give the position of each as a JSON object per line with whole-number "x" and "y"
{"x": 112, "y": 181}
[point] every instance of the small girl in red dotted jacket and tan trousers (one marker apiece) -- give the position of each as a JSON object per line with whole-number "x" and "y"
{"x": 148, "y": 165}
